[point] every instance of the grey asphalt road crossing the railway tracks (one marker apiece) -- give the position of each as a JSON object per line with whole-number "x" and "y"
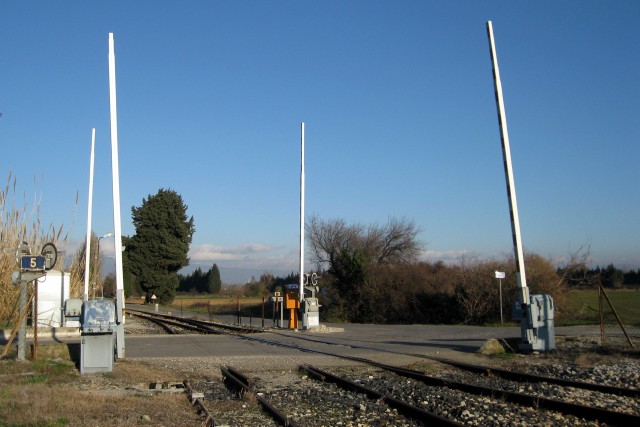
{"x": 378, "y": 342}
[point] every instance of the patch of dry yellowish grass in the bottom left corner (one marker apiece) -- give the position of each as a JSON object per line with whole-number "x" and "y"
{"x": 53, "y": 393}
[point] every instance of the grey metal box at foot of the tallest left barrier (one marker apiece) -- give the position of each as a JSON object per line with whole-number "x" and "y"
{"x": 97, "y": 342}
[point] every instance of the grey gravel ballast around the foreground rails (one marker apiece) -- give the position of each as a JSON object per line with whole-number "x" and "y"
{"x": 311, "y": 403}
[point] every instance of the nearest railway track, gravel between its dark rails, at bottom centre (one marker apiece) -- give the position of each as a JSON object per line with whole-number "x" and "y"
{"x": 351, "y": 403}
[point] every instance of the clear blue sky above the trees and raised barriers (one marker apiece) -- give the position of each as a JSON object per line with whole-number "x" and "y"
{"x": 399, "y": 110}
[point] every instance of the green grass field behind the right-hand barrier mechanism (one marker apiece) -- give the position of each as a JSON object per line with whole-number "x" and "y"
{"x": 584, "y": 307}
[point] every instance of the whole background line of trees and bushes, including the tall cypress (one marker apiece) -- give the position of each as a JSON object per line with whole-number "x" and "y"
{"x": 369, "y": 272}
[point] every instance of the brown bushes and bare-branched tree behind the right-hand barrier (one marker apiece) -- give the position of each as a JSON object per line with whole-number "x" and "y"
{"x": 370, "y": 274}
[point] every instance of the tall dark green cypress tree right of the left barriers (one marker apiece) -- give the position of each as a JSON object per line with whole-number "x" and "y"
{"x": 160, "y": 245}
